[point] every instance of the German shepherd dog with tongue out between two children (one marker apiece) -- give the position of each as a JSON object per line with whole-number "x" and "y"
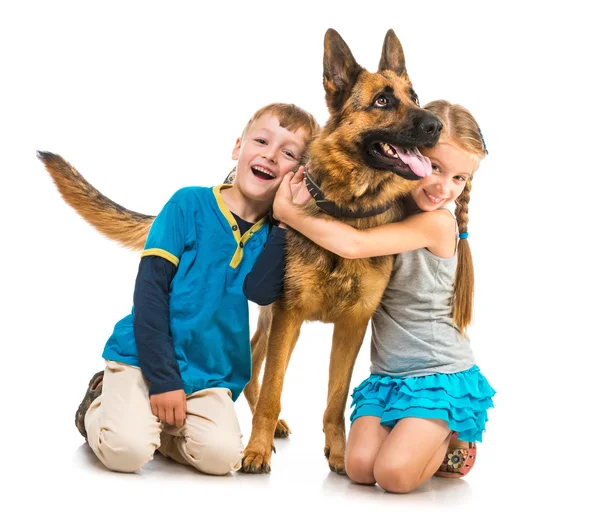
{"x": 358, "y": 167}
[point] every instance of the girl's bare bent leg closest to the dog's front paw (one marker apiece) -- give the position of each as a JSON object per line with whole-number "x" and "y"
{"x": 364, "y": 441}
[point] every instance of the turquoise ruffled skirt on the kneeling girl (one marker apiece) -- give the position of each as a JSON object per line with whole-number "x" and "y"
{"x": 461, "y": 399}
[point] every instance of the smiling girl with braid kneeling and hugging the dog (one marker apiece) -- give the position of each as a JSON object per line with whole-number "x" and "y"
{"x": 424, "y": 405}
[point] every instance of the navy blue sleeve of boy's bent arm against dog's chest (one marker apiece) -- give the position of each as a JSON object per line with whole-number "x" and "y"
{"x": 264, "y": 284}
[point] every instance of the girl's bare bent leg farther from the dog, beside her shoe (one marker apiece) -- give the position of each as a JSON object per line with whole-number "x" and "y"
{"x": 411, "y": 454}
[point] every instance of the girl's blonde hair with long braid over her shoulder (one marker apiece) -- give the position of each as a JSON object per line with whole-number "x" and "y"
{"x": 461, "y": 129}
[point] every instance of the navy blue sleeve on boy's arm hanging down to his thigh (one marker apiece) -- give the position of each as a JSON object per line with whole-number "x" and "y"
{"x": 151, "y": 325}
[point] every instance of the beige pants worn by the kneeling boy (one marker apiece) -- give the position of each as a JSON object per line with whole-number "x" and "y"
{"x": 124, "y": 433}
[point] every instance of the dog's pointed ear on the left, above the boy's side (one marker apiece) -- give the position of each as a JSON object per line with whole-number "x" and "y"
{"x": 340, "y": 70}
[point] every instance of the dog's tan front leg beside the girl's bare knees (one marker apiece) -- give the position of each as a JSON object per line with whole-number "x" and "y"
{"x": 347, "y": 339}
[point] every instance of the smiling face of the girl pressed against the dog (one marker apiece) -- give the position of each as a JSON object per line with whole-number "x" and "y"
{"x": 451, "y": 167}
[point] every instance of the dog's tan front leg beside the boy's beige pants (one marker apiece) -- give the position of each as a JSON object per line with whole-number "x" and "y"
{"x": 285, "y": 330}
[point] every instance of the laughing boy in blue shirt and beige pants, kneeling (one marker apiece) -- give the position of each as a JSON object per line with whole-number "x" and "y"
{"x": 177, "y": 363}
